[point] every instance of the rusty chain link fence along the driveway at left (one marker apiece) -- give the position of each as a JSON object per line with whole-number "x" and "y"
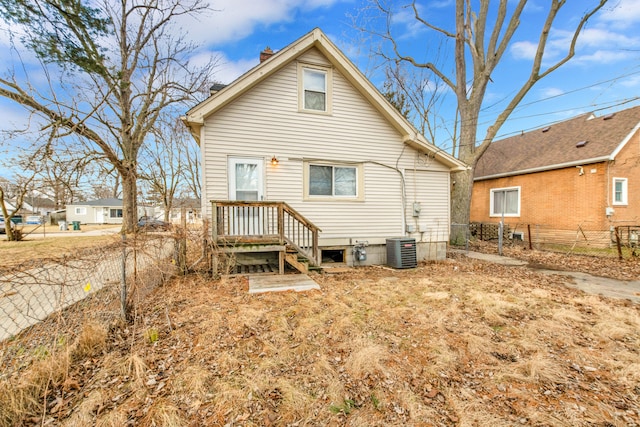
{"x": 45, "y": 302}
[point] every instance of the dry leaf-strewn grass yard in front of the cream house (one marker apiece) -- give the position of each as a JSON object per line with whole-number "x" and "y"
{"x": 454, "y": 343}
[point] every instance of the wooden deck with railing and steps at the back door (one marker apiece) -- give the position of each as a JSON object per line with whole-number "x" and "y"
{"x": 258, "y": 227}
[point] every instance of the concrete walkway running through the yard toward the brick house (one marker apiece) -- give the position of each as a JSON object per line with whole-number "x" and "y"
{"x": 604, "y": 286}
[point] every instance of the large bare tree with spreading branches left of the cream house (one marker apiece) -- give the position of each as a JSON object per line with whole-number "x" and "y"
{"x": 128, "y": 66}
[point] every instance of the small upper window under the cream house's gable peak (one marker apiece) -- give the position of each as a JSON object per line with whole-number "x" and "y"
{"x": 314, "y": 88}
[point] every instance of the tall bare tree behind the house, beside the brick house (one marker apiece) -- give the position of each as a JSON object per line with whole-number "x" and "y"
{"x": 480, "y": 37}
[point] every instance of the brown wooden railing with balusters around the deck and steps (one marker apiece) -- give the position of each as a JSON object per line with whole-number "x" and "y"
{"x": 243, "y": 221}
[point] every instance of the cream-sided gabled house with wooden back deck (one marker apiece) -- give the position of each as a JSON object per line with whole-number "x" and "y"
{"x": 305, "y": 127}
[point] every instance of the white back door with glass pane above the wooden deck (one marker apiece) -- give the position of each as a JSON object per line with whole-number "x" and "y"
{"x": 246, "y": 179}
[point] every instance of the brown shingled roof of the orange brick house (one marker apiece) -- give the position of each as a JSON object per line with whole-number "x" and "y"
{"x": 578, "y": 141}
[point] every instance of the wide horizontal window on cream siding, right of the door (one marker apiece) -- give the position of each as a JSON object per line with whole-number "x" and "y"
{"x": 334, "y": 181}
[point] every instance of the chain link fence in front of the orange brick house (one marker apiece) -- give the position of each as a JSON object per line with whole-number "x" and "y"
{"x": 619, "y": 241}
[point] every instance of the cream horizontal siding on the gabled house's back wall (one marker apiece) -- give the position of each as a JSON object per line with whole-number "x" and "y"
{"x": 265, "y": 122}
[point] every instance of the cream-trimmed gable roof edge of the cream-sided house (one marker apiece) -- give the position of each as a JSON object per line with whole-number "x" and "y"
{"x": 195, "y": 117}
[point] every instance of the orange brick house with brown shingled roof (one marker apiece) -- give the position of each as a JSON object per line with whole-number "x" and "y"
{"x": 579, "y": 174}
